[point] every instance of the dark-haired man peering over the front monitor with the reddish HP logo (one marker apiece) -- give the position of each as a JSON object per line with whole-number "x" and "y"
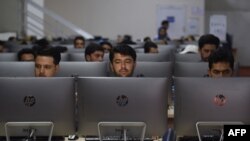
{"x": 221, "y": 63}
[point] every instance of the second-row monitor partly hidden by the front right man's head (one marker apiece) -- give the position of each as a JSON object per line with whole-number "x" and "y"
{"x": 196, "y": 69}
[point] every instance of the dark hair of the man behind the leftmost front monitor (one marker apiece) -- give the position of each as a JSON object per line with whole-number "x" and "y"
{"x": 50, "y": 52}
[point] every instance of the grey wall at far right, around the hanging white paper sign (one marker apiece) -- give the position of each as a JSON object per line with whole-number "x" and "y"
{"x": 238, "y": 18}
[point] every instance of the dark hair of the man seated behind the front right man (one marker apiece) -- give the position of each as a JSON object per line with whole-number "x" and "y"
{"x": 208, "y": 39}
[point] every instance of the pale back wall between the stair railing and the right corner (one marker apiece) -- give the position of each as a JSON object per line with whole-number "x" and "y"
{"x": 112, "y": 17}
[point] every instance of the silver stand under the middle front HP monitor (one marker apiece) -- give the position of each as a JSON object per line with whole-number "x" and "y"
{"x": 123, "y": 126}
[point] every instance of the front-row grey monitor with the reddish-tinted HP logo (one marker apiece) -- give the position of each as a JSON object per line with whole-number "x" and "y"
{"x": 200, "y": 99}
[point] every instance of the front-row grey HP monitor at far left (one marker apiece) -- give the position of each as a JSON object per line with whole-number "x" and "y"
{"x": 31, "y": 99}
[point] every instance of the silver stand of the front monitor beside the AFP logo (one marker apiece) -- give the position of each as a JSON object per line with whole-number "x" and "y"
{"x": 218, "y": 124}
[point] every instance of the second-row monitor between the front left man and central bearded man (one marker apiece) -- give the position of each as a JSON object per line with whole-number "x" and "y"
{"x": 82, "y": 69}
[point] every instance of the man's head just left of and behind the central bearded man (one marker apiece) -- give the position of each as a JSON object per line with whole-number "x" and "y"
{"x": 94, "y": 53}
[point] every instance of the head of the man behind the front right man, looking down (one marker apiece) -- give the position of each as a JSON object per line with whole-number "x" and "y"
{"x": 207, "y": 43}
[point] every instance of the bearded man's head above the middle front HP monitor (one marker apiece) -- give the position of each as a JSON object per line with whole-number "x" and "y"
{"x": 122, "y": 61}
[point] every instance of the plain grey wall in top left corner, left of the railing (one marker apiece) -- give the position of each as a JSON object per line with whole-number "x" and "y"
{"x": 11, "y": 16}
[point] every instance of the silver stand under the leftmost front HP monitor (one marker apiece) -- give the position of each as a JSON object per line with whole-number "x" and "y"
{"x": 29, "y": 130}
